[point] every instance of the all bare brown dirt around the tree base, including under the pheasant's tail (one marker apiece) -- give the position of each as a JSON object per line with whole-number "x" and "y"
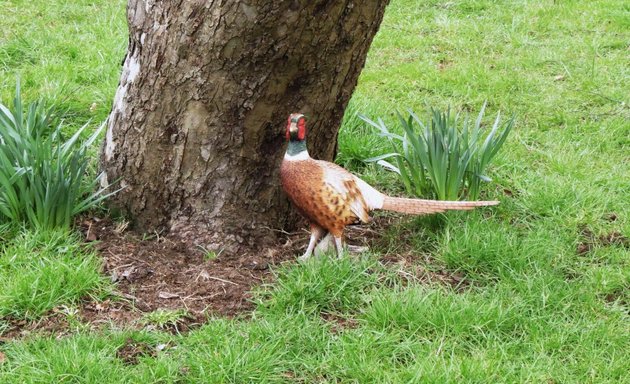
{"x": 158, "y": 273}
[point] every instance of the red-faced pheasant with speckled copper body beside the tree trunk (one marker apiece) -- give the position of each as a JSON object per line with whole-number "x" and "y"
{"x": 331, "y": 198}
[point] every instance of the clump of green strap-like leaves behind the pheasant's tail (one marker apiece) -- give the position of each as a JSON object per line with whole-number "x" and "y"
{"x": 444, "y": 157}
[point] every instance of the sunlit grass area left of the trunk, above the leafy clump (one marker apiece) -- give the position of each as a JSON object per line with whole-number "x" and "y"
{"x": 66, "y": 51}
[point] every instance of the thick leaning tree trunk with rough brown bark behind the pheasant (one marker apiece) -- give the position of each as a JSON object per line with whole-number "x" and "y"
{"x": 196, "y": 133}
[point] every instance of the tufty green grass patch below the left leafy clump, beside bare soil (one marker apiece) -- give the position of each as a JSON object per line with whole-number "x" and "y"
{"x": 45, "y": 269}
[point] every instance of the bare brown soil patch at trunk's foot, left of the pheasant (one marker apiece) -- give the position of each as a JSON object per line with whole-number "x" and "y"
{"x": 163, "y": 273}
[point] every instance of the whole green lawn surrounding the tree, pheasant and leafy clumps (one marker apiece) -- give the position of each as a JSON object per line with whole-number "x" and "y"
{"x": 547, "y": 272}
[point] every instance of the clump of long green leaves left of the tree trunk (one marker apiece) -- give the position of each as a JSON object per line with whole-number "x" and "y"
{"x": 42, "y": 174}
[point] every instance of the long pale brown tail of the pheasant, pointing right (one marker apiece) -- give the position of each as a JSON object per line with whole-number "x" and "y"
{"x": 419, "y": 206}
